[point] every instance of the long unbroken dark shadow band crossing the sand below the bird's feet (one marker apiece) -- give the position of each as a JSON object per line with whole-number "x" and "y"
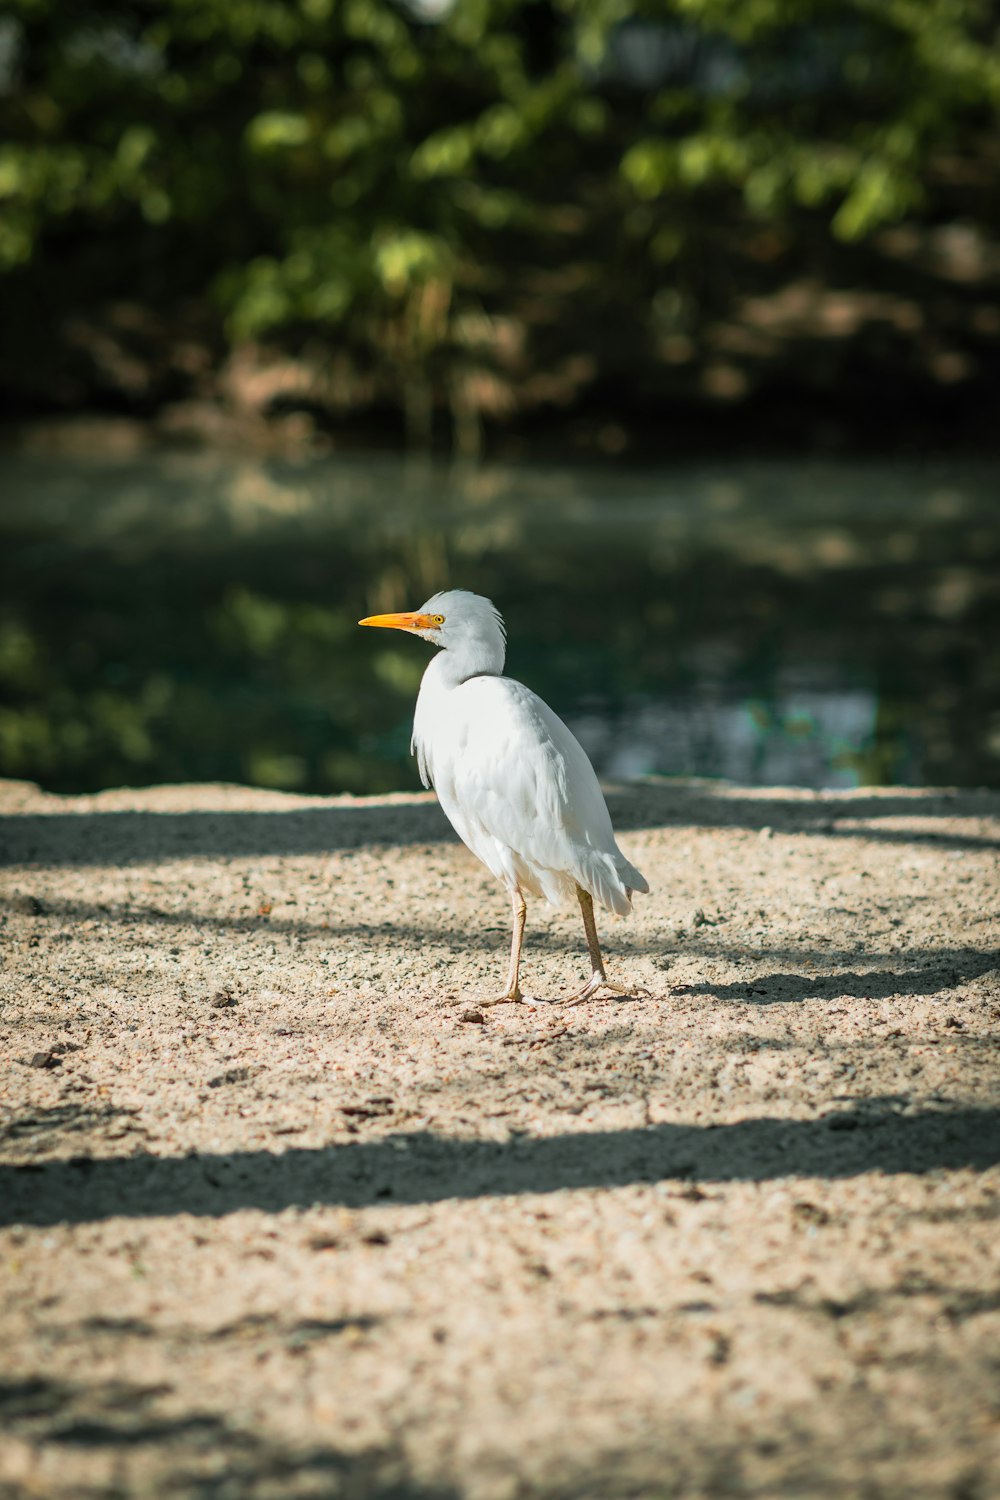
{"x": 421, "y": 1168}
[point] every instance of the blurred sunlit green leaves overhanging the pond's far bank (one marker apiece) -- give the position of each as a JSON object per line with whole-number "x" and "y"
{"x": 335, "y": 163}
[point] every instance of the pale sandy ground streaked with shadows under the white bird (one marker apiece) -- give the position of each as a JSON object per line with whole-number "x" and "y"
{"x": 284, "y": 1216}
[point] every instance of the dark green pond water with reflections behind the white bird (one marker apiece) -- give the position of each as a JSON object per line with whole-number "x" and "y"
{"x": 194, "y": 617}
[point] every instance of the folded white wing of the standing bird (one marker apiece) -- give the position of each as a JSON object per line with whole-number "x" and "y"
{"x": 522, "y": 794}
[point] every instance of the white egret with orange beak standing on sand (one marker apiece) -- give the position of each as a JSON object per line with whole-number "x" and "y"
{"x": 512, "y": 779}
